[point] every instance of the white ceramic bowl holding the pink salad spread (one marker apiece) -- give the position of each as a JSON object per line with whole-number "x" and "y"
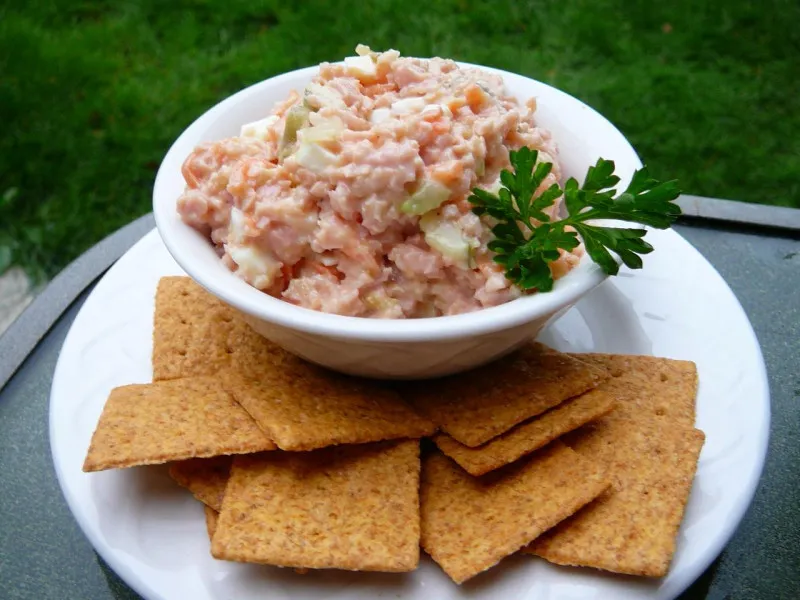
{"x": 386, "y": 348}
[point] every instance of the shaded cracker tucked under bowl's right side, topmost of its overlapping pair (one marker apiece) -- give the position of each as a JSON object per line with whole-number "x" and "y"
{"x": 479, "y": 405}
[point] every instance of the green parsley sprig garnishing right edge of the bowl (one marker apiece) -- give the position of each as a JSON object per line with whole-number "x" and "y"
{"x": 526, "y": 239}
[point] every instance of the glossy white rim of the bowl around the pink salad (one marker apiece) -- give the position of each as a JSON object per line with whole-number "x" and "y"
{"x": 567, "y": 290}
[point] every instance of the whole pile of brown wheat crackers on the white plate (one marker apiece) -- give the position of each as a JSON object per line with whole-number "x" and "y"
{"x": 582, "y": 459}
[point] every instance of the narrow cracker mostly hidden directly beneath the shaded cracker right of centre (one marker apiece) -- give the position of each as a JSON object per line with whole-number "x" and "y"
{"x": 528, "y": 436}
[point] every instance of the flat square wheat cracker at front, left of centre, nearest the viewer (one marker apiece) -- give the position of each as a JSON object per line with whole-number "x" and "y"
{"x": 345, "y": 507}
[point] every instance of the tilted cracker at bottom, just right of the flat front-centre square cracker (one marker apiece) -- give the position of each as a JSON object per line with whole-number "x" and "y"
{"x": 469, "y": 524}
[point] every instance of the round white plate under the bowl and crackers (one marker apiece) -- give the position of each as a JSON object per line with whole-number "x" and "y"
{"x": 153, "y": 533}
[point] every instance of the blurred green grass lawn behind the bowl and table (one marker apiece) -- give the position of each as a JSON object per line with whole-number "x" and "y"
{"x": 93, "y": 93}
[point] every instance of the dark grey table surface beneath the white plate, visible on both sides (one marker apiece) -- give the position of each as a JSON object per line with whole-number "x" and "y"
{"x": 44, "y": 555}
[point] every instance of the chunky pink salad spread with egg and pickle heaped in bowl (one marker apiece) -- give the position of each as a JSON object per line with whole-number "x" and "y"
{"x": 351, "y": 197}
